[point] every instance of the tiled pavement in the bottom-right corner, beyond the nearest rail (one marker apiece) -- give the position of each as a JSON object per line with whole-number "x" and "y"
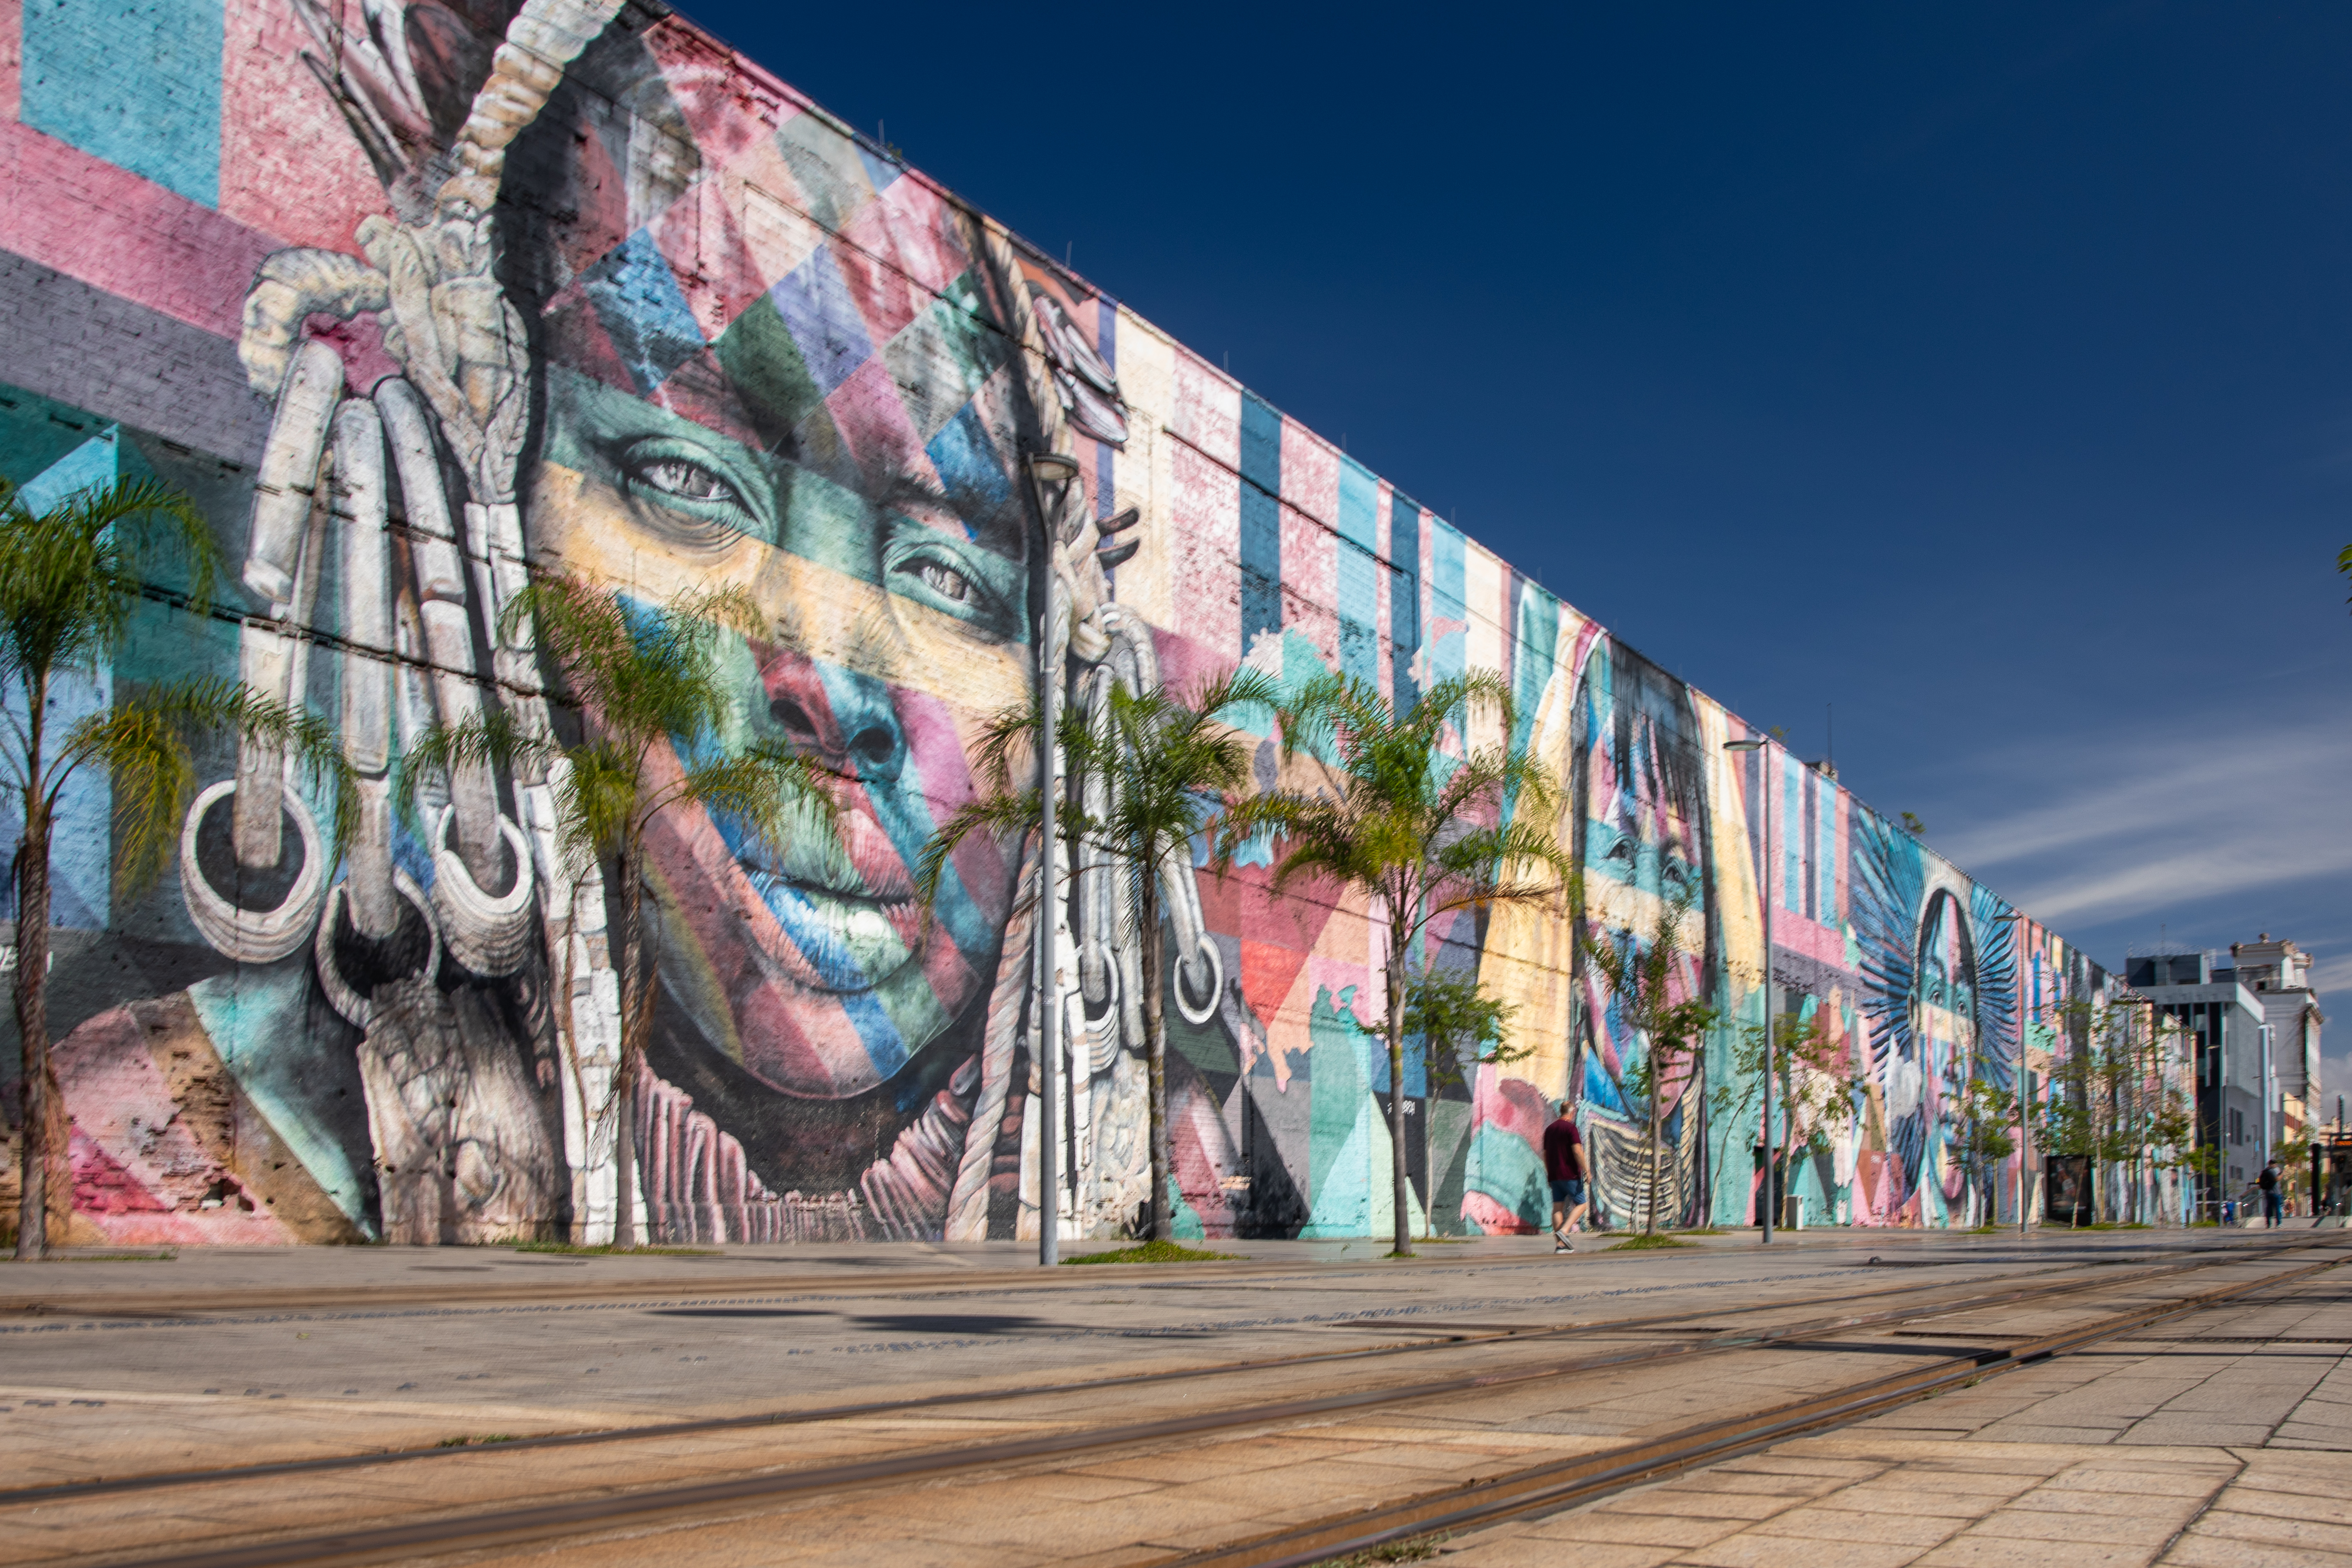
{"x": 2203, "y": 1447}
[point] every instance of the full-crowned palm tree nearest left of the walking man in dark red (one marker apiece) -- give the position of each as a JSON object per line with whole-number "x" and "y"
{"x": 1417, "y": 831}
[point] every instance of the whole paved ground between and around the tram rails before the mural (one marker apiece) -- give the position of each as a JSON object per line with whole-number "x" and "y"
{"x": 507, "y": 1346}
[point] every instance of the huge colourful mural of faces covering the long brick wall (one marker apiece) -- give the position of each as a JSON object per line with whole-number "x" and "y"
{"x": 420, "y": 300}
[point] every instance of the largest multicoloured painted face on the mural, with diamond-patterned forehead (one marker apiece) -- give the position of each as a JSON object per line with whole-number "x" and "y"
{"x": 843, "y": 453}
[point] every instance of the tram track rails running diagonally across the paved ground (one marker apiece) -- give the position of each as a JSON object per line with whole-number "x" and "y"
{"x": 1537, "y": 1489}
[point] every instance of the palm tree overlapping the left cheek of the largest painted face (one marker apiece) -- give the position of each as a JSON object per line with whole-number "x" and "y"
{"x": 650, "y": 688}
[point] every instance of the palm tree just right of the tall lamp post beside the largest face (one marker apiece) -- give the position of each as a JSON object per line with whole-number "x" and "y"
{"x": 1147, "y": 775}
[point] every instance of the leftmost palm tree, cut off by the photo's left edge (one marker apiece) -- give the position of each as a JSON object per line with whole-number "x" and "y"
{"x": 72, "y": 579}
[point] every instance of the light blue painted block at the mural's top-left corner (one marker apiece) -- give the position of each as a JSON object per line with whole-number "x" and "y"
{"x": 135, "y": 83}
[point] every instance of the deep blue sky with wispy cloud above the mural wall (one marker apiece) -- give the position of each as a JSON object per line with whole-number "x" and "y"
{"x": 1979, "y": 370}
